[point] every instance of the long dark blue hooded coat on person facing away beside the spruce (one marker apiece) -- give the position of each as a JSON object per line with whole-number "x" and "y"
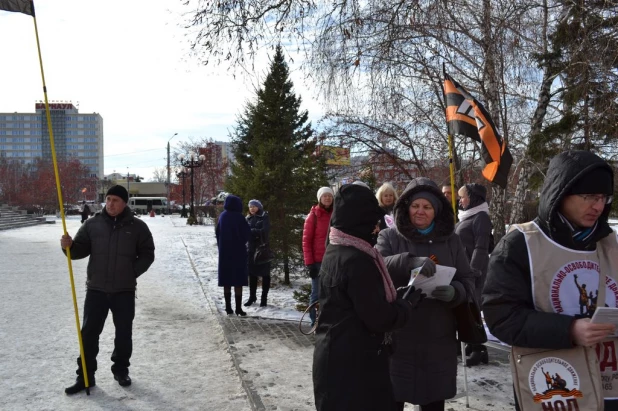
{"x": 232, "y": 234}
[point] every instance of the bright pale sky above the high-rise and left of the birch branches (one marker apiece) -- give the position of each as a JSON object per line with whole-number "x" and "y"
{"x": 129, "y": 61}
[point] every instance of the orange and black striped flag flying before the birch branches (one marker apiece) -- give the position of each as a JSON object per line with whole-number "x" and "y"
{"x": 467, "y": 117}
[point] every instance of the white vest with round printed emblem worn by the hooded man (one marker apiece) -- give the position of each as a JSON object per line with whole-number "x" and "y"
{"x": 566, "y": 281}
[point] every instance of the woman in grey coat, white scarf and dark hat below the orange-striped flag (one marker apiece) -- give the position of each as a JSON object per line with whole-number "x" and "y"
{"x": 474, "y": 230}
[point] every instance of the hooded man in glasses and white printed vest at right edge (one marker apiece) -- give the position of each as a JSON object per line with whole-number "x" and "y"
{"x": 571, "y": 228}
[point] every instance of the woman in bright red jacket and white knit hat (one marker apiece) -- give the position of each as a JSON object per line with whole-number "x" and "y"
{"x": 314, "y": 240}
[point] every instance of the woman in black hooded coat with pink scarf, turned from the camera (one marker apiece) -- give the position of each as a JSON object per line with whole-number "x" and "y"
{"x": 358, "y": 310}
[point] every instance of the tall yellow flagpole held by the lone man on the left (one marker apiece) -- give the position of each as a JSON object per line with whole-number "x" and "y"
{"x": 61, "y": 204}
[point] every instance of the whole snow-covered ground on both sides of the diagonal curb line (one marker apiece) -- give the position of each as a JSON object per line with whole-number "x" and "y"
{"x": 182, "y": 359}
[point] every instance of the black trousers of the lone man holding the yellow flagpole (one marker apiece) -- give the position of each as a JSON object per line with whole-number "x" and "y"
{"x": 96, "y": 307}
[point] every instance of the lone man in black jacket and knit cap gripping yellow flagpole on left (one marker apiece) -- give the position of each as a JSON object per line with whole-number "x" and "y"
{"x": 121, "y": 249}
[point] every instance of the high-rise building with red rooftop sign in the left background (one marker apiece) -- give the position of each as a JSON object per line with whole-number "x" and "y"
{"x": 25, "y": 136}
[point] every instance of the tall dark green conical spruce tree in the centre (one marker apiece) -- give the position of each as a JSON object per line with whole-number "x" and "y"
{"x": 275, "y": 161}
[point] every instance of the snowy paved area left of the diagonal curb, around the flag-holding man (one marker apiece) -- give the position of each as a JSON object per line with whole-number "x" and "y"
{"x": 180, "y": 358}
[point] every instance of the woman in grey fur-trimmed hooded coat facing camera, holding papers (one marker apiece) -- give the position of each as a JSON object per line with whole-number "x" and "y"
{"x": 424, "y": 366}
